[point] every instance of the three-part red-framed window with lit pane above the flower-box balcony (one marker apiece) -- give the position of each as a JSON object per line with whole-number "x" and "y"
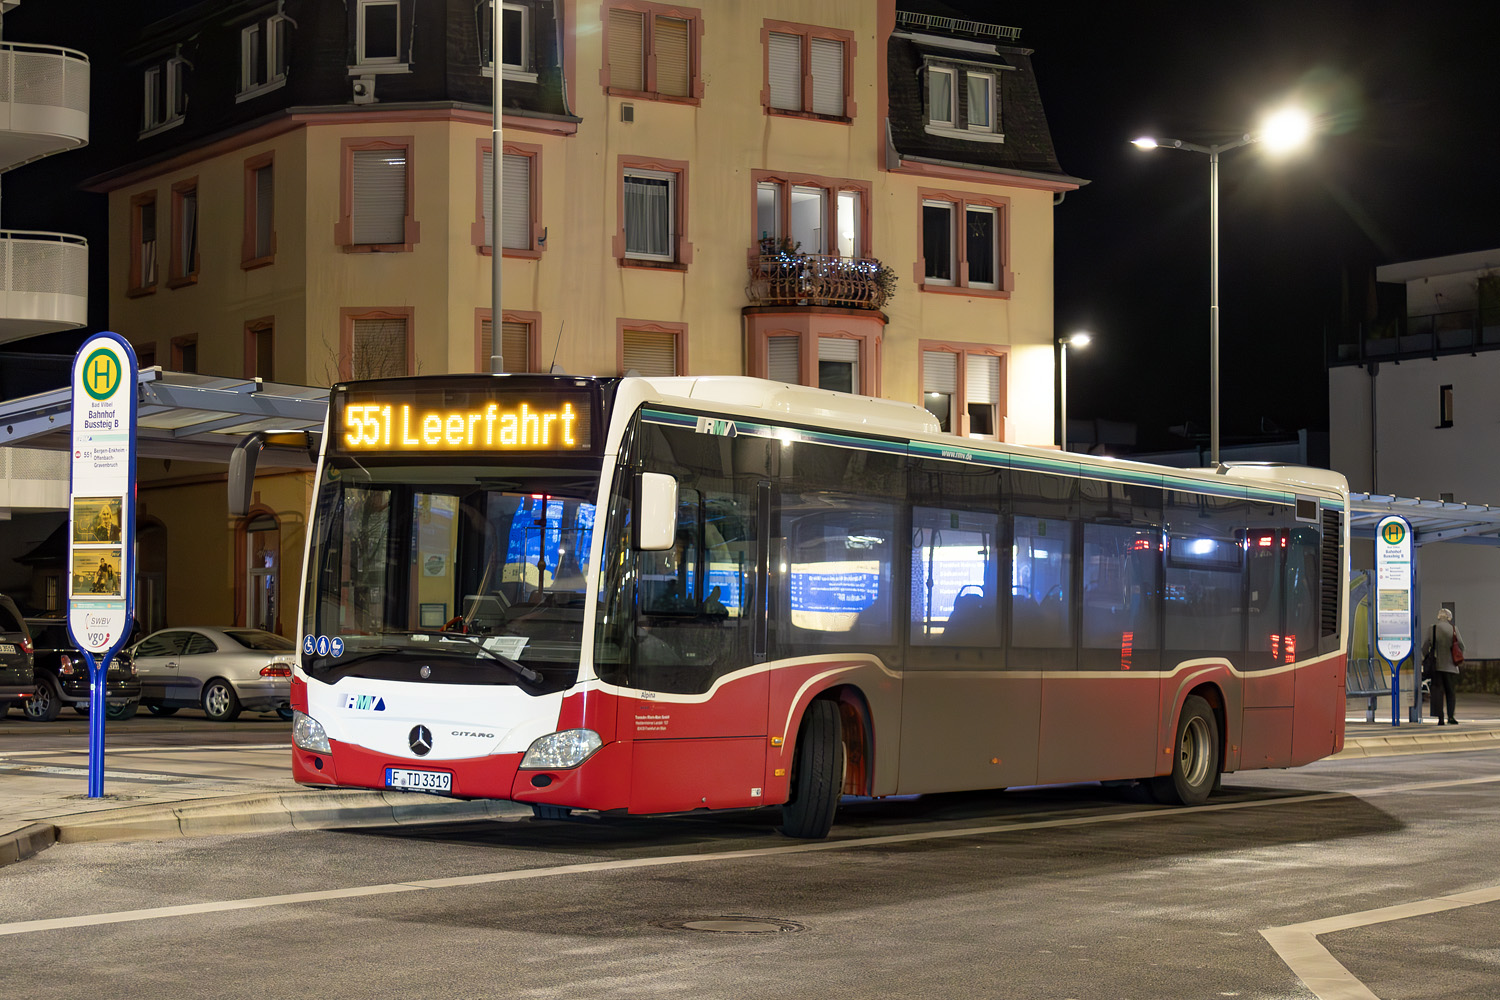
{"x": 820, "y": 215}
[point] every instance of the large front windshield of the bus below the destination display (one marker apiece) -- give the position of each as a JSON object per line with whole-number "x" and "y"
{"x": 475, "y": 573}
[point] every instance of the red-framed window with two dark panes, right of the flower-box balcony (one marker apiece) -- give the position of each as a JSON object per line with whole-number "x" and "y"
{"x": 973, "y": 259}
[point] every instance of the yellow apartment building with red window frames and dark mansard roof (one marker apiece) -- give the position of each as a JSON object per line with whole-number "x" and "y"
{"x": 851, "y": 194}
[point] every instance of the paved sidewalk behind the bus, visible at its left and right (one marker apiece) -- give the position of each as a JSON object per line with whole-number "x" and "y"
{"x": 41, "y": 806}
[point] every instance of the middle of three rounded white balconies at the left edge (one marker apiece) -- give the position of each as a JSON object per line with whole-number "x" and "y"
{"x": 44, "y": 284}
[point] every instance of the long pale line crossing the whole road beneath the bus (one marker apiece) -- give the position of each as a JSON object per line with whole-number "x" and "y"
{"x": 224, "y": 906}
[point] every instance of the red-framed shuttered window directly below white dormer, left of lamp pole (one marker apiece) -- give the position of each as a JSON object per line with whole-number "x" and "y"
{"x": 377, "y": 197}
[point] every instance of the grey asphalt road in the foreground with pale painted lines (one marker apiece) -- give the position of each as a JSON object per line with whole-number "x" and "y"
{"x": 1082, "y": 893}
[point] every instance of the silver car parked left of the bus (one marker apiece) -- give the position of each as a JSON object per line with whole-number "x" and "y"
{"x": 221, "y": 669}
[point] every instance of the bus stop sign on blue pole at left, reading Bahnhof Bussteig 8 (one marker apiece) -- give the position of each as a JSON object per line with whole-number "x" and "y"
{"x": 101, "y": 521}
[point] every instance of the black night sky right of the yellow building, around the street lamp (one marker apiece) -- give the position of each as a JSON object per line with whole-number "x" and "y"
{"x": 1405, "y": 170}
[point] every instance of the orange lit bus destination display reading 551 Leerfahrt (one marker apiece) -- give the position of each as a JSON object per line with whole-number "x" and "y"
{"x": 461, "y": 422}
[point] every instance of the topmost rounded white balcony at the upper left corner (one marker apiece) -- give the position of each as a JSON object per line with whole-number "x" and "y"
{"x": 44, "y": 103}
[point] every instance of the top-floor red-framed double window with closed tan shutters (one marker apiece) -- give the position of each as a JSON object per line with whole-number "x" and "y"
{"x": 652, "y": 52}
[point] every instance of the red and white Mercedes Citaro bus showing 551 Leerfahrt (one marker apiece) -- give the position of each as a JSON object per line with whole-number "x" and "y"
{"x": 659, "y": 596}
